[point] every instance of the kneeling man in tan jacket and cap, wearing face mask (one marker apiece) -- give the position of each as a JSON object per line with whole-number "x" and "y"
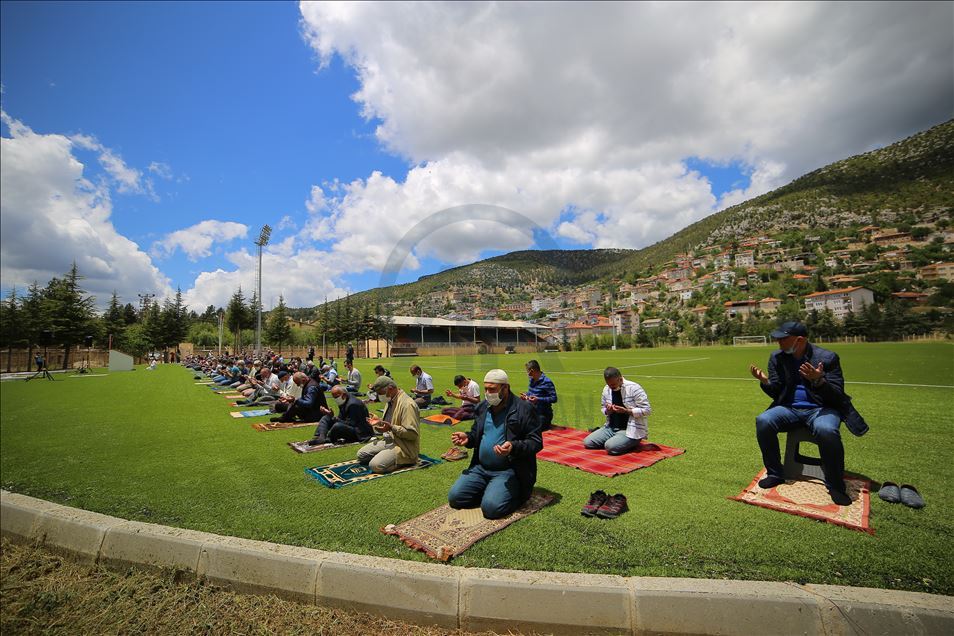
{"x": 401, "y": 427}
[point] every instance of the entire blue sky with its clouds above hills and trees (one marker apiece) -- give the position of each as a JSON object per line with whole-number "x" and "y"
{"x": 149, "y": 142}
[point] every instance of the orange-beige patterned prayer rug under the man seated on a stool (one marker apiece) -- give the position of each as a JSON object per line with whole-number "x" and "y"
{"x": 810, "y": 498}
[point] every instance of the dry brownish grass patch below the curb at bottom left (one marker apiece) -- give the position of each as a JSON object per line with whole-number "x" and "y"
{"x": 45, "y": 593}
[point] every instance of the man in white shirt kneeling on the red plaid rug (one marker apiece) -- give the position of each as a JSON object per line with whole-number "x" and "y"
{"x": 626, "y": 408}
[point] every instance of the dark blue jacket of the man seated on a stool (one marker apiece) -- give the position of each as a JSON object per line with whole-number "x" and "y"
{"x": 830, "y": 392}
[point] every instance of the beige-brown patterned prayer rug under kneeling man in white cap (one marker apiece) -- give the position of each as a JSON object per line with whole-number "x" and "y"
{"x": 444, "y": 533}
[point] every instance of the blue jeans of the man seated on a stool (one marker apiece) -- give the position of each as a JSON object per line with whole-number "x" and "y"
{"x": 823, "y": 423}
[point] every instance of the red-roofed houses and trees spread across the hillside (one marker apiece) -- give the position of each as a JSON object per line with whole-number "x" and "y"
{"x": 750, "y": 277}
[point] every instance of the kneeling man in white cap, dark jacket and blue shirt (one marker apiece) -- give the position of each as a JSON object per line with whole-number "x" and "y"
{"x": 502, "y": 472}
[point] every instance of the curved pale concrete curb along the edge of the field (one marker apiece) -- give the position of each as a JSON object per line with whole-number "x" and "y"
{"x": 476, "y": 598}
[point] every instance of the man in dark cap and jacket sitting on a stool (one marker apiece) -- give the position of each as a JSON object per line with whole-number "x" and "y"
{"x": 807, "y": 389}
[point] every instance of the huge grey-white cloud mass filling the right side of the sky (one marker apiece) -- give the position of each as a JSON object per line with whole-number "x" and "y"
{"x": 582, "y": 116}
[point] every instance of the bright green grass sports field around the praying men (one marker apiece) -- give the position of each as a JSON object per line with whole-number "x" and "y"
{"x": 154, "y": 447}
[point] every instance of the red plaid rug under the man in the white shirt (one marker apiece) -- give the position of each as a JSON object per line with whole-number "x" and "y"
{"x": 565, "y": 446}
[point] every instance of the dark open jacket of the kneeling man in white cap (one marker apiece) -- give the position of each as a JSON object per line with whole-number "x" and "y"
{"x": 522, "y": 431}
